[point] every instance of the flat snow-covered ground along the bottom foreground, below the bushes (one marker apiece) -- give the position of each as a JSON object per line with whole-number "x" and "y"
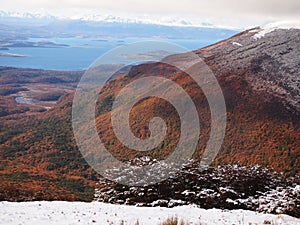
{"x": 101, "y": 213}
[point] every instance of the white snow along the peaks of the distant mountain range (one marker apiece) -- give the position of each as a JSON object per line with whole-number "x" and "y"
{"x": 110, "y": 17}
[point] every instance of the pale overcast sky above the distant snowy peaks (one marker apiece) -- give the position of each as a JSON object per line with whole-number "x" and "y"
{"x": 235, "y": 13}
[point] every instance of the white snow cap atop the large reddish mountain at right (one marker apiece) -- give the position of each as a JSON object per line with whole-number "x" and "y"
{"x": 268, "y": 28}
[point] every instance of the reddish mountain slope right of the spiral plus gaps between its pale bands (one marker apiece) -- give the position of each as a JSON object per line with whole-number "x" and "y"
{"x": 260, "y": 81}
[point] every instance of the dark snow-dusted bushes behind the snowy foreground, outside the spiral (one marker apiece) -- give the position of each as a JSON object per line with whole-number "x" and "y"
{"x": 265, "y": 192}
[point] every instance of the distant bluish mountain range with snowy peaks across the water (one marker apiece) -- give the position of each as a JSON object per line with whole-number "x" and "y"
{"x": 26, "y": 25}
